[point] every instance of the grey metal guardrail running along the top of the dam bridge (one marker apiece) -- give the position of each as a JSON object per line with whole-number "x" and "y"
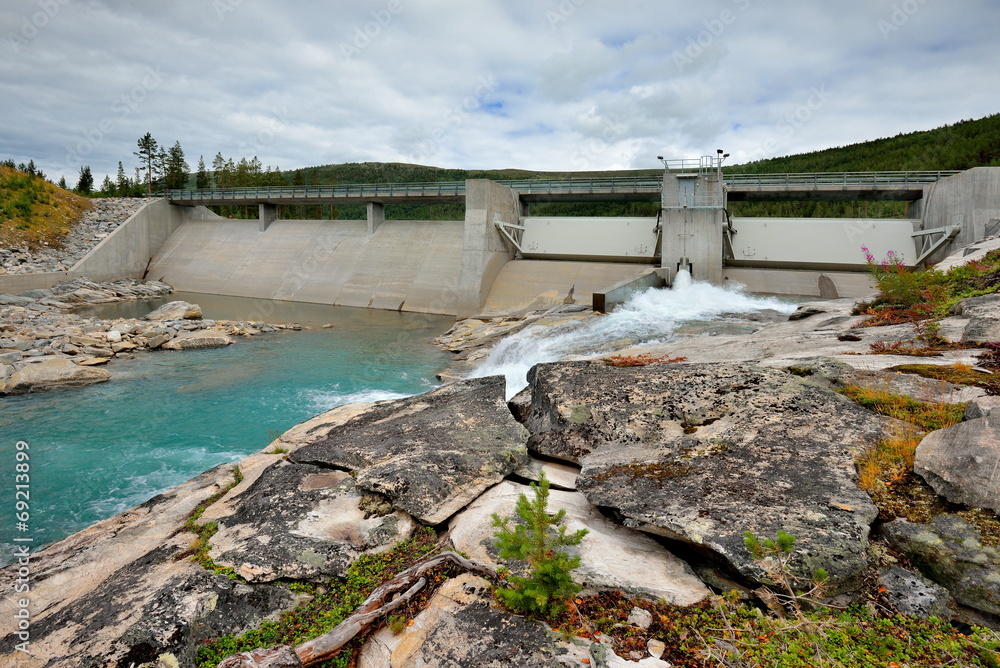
{"x": 627, "y": 184}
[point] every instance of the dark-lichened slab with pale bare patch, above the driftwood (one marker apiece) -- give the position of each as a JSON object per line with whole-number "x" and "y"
{"x": 304, "y": 522}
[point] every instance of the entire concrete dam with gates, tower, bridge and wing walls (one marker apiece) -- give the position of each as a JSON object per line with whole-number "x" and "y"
{"x": 501, "y": 259}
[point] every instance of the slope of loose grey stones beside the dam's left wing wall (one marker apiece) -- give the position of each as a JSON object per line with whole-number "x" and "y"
{"x": 104, "y": 217}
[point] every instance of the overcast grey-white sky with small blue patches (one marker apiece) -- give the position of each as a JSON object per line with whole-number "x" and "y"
{"x": 538, "y": 84}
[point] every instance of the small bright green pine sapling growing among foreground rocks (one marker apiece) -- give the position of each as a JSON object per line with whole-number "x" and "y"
{"x": 537, "y": 539}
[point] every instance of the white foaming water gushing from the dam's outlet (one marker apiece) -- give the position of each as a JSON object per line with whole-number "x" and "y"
{"x": 649, "y": 317}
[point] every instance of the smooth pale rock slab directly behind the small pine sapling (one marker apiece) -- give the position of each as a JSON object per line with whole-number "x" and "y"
{"x": 611, "y": 556}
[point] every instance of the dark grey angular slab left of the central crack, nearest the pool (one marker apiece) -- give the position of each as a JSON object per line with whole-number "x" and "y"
{"x": 432, "y": 454}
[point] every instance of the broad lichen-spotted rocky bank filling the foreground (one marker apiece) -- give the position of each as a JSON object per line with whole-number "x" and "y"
{"x": 667, "y": 463}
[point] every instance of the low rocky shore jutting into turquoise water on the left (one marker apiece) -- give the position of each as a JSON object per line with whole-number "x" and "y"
{"x": 44, "y": 345}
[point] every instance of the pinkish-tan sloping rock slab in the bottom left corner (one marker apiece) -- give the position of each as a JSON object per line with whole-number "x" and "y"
{"x": 119, "y": 593}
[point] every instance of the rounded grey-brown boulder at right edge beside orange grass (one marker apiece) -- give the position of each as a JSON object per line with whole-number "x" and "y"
{"x": 962, "y": 462}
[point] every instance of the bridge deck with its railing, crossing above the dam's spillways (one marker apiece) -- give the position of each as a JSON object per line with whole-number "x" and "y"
{"x": 906, "y": 186}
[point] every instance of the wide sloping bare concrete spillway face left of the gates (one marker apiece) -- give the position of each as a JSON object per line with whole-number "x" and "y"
{"x": 405, "y": 265}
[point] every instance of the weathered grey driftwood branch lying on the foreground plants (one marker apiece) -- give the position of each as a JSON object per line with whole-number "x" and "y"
{"x": 328, "y": 644}
